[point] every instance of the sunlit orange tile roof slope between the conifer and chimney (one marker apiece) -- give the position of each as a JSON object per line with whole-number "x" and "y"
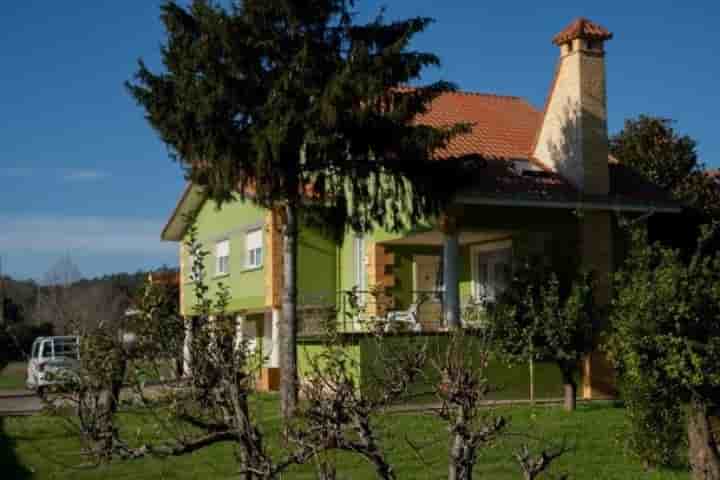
{"x": 503, "y": 127}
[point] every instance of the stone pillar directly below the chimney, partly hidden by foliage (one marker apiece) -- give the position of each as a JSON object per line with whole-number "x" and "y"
{"x": 596, "y": 254}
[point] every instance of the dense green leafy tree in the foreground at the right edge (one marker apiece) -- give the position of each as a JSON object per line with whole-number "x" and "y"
{"x": 666, "y": 337}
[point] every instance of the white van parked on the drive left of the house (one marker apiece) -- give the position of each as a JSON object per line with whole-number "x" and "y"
{"x": 52, "y": 360}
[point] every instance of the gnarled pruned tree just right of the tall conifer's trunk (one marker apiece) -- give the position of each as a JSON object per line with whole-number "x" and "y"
{"x": 339, "y": 413}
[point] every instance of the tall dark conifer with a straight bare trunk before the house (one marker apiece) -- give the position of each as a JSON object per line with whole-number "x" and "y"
{"x": 292, "y": 104}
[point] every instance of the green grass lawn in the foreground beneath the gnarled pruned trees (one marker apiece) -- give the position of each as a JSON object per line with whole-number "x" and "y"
{"x": 40, "y": 448}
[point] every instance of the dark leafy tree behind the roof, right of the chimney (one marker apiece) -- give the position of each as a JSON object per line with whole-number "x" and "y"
{"x": 654, "y": 149}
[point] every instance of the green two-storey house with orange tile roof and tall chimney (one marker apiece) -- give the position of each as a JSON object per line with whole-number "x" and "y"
{"x": 546, "y": 188}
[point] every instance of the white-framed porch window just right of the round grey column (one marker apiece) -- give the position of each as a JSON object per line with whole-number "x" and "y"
{"x": 492, "y": 270}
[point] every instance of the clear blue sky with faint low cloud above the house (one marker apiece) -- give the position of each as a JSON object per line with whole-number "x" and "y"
{"x": 82, "y": 173}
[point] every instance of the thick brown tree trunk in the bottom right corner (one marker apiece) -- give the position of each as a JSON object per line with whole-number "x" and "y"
{"x": 703, "y": 453}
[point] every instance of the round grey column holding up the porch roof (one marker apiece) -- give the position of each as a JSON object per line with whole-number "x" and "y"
{"x": 451, "y": 256}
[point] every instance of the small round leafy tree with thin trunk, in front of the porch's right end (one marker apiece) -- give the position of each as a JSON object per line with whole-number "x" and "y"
{"x": 539, "y": 320}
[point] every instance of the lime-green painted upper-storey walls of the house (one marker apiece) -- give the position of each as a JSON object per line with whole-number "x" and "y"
{"x": 326, "y": 267}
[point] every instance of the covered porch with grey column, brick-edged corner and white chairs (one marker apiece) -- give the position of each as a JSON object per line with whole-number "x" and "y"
{"x": 435, "y": 278}
